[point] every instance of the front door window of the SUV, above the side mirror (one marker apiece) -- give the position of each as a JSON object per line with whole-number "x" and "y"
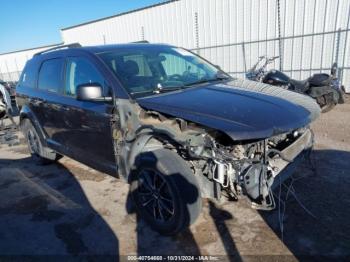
{"x": 81, "y": 71}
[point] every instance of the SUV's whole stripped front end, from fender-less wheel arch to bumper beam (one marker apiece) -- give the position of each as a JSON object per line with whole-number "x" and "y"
{"x": 222, "y": 165}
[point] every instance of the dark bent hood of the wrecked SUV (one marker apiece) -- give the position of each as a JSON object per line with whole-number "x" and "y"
{"x": 240, "y": 113}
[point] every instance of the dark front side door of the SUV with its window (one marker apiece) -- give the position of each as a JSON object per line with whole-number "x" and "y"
{"x": 87, "y": 129}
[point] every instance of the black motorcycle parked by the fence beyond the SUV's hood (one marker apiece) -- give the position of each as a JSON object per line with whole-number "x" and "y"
{"x": 324, "y": 88}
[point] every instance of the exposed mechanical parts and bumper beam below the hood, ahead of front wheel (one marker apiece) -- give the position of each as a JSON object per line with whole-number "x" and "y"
{"x": 248, "y": 168}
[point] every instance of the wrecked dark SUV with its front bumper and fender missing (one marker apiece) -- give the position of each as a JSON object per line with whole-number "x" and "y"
{"x": 176, "y": 127}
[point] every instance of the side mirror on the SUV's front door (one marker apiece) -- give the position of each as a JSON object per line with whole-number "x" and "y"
{"x": 91, "y": 92}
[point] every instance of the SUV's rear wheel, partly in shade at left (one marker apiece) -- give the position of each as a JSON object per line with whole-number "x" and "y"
{"x": 40, "y": 153}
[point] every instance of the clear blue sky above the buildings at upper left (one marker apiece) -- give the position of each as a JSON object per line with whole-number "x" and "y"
{"x": 31, "y": 23}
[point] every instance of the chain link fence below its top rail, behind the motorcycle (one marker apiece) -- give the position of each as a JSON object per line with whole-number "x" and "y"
{"x": 298, "y": 55}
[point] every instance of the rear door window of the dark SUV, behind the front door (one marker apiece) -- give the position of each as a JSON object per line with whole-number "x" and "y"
{"x": 50, "y": 75}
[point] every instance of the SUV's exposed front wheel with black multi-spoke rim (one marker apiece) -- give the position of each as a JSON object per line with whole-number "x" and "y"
{"x": 165, "y": 191}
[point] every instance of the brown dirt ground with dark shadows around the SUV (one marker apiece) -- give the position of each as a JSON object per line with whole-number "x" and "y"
{"x": 68, "y": 208}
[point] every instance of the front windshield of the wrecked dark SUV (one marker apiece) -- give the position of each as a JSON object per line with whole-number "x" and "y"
{"x": 146, "y": 70}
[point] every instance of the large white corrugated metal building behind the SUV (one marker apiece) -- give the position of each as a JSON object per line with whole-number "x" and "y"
{"x": 309, "y": 35}
